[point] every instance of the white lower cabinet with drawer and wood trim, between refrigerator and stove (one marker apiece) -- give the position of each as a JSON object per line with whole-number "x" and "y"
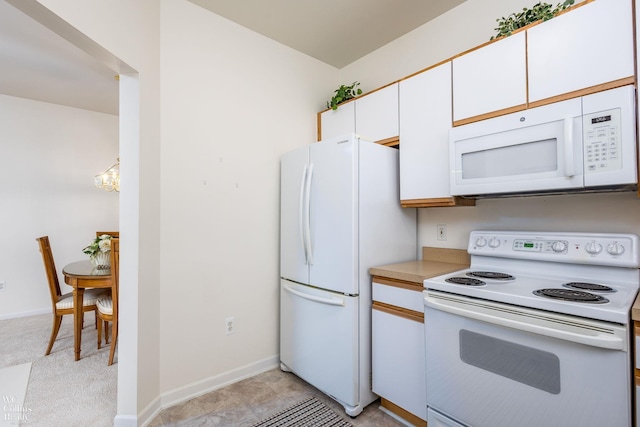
{"x": 398, "y": 349}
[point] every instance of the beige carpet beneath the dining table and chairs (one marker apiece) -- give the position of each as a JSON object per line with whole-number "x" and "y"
{"x": 61, "y": 391}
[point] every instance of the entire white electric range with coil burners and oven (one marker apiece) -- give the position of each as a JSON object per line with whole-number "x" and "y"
{"x": 531, "y": 315}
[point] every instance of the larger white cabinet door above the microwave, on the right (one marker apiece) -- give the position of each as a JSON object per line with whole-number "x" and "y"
{"x": 588, "y": 46}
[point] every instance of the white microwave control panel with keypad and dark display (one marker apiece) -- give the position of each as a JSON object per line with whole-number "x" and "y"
{"x": 602, "y": 141}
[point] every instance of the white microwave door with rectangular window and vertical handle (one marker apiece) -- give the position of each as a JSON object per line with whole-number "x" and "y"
{"x": 534, "y": 150}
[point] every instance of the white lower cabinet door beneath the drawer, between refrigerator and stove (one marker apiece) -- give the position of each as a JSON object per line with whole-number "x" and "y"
{"x": 398, "y": 356}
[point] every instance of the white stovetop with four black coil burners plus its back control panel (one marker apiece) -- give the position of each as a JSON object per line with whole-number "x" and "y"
{"x": 521, "y": 264}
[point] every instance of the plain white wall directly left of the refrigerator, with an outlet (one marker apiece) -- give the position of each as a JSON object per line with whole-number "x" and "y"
{"x": 229, "y": 110}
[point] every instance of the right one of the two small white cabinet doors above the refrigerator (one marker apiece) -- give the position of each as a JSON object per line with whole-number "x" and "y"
{"x": 377, "y": 114}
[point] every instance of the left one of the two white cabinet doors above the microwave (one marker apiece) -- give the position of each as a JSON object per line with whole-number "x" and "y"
{"x": 490, "y": 79}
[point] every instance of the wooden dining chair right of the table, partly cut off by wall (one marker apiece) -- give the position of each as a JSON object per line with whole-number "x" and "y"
{"x": 107, "y": 306}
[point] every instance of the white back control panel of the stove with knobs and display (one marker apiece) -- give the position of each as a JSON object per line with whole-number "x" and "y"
{"x": 579, "y": 248}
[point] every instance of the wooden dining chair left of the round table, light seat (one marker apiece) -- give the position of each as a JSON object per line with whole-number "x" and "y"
{"x": 62, "y": 304}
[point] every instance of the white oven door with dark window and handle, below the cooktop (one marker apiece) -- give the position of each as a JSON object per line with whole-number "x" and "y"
{"x": 490, "y": 365}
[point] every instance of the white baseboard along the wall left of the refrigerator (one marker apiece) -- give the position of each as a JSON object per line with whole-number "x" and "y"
{"x": 207, "y": 385}
